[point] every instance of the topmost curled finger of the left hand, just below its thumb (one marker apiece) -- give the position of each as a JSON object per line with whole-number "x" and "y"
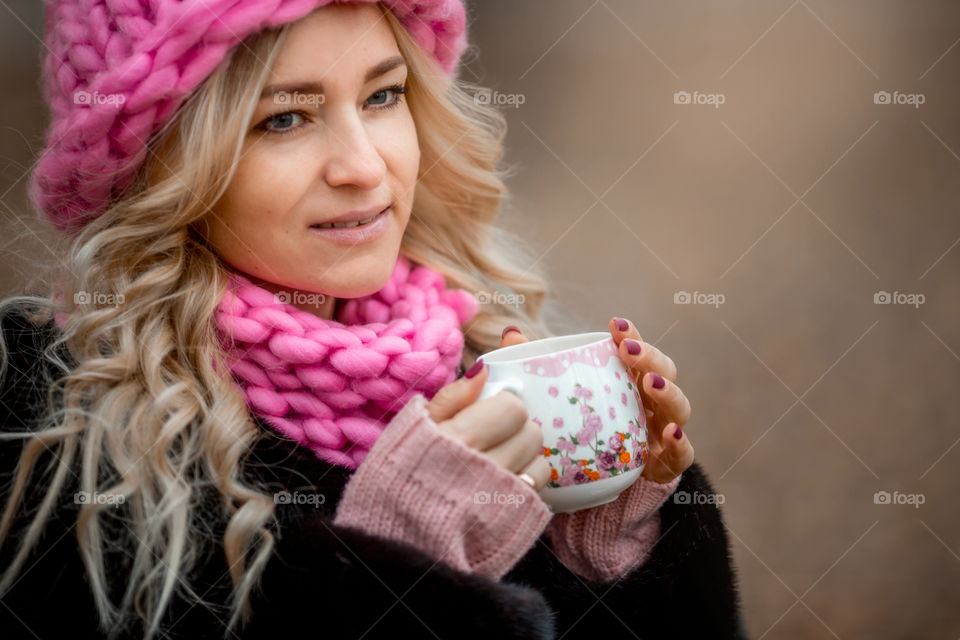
{"x": 487, "y": 423}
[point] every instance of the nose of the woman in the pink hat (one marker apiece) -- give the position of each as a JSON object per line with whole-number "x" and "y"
{"x": 353, "y": 157}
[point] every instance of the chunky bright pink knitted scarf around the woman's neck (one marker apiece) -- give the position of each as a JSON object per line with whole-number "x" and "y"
{"x": 333, "y": 385}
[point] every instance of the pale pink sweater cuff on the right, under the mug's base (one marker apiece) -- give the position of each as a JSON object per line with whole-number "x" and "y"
{"x": 607, "y": 542}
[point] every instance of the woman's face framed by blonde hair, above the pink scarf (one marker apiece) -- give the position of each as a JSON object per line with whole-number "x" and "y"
{"x": 314, "y": 154}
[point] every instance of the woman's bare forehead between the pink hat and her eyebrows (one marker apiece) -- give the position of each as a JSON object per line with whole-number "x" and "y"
{"x": 335, "y": 43}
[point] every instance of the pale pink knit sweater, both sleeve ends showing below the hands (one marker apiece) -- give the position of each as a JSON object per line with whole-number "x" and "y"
{"x": 420, "y": 486}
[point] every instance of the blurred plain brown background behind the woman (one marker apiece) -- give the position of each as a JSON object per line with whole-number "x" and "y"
{"x": 792, "y": 206}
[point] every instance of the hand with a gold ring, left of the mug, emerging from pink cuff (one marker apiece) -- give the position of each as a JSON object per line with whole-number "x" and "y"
{"x": 497, "y": 427}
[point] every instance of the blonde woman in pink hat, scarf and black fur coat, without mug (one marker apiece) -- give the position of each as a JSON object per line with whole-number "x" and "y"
{"x": 247, "y": 405}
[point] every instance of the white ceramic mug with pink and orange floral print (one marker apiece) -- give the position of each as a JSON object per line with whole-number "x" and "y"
{"x": 579, "y": 392}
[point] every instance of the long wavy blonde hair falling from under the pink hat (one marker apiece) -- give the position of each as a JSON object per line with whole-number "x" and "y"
{"x": 145, "y": 404}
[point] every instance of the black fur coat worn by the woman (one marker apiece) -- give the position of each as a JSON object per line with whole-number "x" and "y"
{"x": 327, "y": 581}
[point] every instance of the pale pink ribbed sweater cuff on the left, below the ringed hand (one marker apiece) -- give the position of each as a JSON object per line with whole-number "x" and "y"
{"x": 420, "y": 486}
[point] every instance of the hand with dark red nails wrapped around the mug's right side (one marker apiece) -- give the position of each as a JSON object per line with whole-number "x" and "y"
{"x": 667, "y": 409}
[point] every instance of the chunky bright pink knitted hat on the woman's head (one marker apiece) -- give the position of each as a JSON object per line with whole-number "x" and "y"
{"x": 146, "y": 57}
